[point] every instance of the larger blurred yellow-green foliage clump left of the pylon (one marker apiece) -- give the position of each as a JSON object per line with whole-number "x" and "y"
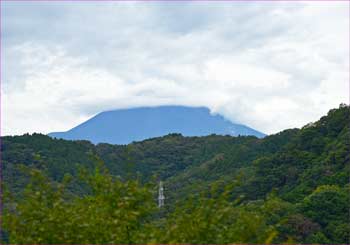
{"x": 115, "y": 212}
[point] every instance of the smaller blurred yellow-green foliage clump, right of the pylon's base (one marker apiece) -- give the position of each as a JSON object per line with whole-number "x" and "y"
{"x": 216, "y": 220}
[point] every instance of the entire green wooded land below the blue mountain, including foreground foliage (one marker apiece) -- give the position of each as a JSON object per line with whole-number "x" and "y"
{"x": 289, "y": 187}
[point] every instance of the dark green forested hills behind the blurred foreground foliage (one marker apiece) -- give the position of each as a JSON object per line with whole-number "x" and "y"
{"x": 306, "y": 169}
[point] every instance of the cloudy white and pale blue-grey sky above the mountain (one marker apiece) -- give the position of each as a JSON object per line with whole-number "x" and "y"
{"x": 268, "y": 65}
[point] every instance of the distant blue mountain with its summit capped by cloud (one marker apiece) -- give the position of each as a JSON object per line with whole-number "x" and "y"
{"x": 127, "y": 125}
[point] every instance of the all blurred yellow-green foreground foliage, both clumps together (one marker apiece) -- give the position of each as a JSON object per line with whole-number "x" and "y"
{"x": 123, "y": 213}
